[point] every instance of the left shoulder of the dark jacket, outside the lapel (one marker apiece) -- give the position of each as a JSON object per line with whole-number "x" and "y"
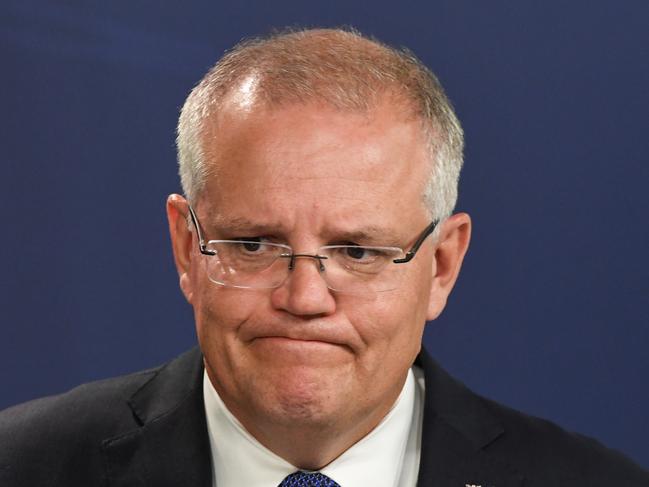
{"x": 43, "y": 440}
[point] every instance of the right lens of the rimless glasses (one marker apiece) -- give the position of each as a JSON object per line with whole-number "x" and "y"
{"x": 360, "y": 269}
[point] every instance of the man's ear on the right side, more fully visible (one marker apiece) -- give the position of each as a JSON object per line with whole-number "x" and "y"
{"x": 450, "y": 248}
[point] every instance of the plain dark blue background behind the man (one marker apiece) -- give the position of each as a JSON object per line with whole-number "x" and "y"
{"x": 551, "y": 311}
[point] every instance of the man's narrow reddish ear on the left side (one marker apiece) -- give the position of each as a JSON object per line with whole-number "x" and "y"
{"x": 181, "y": 241}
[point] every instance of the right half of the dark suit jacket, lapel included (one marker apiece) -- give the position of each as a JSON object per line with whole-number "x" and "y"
{"x": 489, "y": 435}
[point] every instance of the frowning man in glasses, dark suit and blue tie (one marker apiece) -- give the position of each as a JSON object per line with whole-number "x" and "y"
{"x": 314, "y": 240}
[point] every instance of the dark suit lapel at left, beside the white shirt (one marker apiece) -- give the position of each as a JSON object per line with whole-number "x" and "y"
{"x": 171, "y": 446}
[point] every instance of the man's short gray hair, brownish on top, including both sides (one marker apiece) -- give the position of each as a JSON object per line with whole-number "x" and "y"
{"x": 342, "y": 69}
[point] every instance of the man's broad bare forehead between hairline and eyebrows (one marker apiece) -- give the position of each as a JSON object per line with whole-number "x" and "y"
{"x": 314, "y": 159}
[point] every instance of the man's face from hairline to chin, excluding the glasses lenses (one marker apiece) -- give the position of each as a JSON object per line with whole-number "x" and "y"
{"x": 309, "y": 176}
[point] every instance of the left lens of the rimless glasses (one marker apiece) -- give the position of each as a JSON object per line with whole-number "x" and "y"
{"x": 246, "y": 264}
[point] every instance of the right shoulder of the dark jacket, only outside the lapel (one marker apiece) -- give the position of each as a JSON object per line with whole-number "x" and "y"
{"x": 545, "y": 451}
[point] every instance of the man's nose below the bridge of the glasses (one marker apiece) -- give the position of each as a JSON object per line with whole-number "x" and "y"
{"x": 305, "y": 292}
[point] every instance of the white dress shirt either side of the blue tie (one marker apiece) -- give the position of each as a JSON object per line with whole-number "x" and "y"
{"x": 387, "y": 457}
